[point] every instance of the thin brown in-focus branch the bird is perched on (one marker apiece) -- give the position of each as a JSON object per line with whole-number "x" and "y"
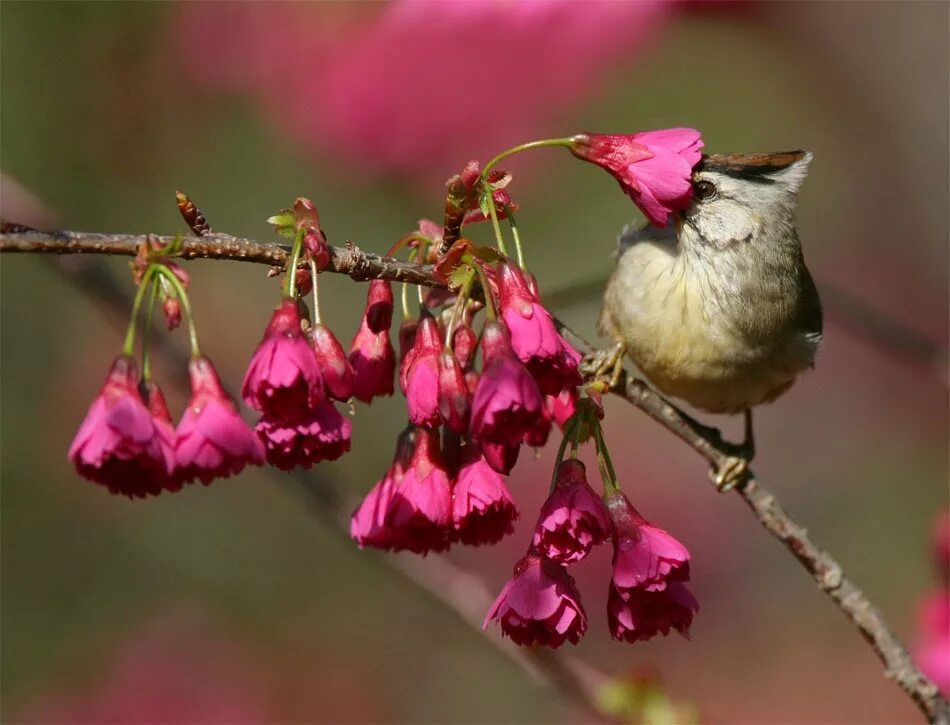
{"x": 823, "y": 568}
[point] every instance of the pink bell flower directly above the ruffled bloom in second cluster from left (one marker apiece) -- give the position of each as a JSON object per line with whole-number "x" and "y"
{"x": 283, "y": 379}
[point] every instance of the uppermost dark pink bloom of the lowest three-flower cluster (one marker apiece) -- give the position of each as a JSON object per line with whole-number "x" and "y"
{"x": 573, "y": 519}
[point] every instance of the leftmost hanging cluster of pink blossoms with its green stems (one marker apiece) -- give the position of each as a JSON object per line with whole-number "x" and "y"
{"x": 127, "y": 442}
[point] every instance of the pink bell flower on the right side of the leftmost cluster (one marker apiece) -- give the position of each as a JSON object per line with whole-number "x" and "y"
{"x": 212, "y": 439}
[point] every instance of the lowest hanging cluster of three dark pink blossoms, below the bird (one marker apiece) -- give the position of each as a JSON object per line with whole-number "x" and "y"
{"x": 648, "y": 593}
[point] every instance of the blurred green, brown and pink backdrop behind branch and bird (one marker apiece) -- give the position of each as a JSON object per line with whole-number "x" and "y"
{"x": 235, "y": 603}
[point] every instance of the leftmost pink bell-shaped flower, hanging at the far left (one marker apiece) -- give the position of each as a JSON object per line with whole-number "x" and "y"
{"x": 120, "y": 443}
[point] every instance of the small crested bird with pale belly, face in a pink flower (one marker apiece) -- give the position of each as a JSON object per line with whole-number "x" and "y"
{"x": 718, "y": 308}
